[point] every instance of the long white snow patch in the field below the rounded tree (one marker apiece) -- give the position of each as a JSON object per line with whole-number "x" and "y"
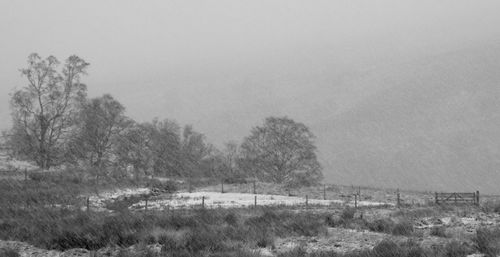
{"x": 236, "y": 200}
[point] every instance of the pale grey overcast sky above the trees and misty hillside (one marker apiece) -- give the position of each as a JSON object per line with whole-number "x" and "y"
{"x": 225, "y": 65}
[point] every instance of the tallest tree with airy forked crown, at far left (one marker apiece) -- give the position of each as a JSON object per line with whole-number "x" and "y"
{"x": 43, "y": 112}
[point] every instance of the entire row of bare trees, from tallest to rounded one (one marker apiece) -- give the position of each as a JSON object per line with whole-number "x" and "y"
{"x": 55, "y": 123}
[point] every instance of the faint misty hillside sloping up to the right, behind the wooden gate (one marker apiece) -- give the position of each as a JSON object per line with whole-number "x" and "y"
{"x": 437, "y": 118}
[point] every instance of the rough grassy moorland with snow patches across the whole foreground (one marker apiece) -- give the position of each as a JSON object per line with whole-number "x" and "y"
{"x": 66, "y": 213}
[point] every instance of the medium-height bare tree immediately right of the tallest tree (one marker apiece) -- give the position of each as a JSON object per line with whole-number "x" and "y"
{"x": 101, "y": 120}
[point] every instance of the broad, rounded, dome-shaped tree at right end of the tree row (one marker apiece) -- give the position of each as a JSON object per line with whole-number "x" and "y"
{"x": 281, "y": 151}
